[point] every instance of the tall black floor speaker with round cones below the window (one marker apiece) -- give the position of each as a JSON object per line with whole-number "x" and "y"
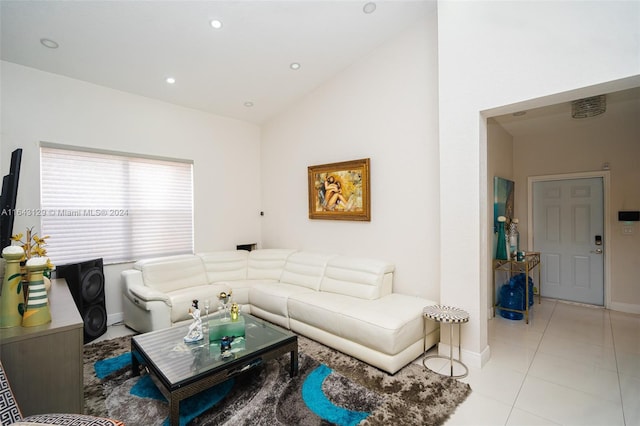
{"x": 86, "y": 282}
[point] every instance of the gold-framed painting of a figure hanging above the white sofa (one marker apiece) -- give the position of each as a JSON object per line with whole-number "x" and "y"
{"x": 340, "y": 191}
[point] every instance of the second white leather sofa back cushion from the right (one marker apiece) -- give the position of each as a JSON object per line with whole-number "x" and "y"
{"x": 305, "y": 269}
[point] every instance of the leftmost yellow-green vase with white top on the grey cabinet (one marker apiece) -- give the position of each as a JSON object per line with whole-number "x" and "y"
{"x": 12, "y": 299}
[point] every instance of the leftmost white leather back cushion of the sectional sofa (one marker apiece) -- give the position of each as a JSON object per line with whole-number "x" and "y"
{"x": 173, "y": 273}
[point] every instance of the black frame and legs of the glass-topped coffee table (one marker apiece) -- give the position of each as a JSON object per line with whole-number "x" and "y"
{"x": 206, "y": 378}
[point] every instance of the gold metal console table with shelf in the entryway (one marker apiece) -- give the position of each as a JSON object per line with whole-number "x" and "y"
{"x": 527, "y": 266}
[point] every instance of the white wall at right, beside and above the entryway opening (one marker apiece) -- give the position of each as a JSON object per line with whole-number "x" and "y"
{"x": 493, "y": 54}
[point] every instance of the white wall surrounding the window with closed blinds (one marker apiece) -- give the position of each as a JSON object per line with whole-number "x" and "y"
{"x": 38, "y": 106}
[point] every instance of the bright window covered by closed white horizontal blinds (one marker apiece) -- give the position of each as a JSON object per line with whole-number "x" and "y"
{"x": 114, "y": 206}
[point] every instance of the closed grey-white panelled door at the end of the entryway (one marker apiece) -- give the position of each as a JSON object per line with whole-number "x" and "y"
{"x": 568, "y": 231}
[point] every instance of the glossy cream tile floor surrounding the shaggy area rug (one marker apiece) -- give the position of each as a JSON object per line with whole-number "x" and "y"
{"x": 571, "y": 365}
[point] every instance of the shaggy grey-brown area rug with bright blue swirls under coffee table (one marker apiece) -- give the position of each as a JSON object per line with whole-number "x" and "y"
{"x": 331, "y": 388}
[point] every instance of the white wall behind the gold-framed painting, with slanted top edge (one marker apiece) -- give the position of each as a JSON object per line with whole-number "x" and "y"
{"x": 383, "y": 107}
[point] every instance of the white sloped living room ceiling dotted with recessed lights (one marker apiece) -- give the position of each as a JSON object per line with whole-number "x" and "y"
{"x": 134, "y": 46}
